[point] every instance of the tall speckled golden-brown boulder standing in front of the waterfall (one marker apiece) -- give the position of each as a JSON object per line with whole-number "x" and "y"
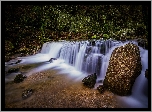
{"x": 124, "y": 67}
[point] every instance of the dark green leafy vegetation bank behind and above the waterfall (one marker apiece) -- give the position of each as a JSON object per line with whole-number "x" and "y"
{"x": 29, "y": 26}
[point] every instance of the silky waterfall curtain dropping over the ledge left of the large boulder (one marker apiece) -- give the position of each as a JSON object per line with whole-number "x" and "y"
{"x": 84, "y": 56}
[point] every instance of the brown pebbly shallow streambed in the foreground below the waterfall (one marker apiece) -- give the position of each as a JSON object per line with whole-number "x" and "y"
{"x": 54, "y": 90}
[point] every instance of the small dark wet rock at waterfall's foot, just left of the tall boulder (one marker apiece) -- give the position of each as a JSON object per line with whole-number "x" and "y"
{"x": 90, "y": 80}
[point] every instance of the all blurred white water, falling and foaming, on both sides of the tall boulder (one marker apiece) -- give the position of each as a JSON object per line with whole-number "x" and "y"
{"x": 78, "y": 59}
